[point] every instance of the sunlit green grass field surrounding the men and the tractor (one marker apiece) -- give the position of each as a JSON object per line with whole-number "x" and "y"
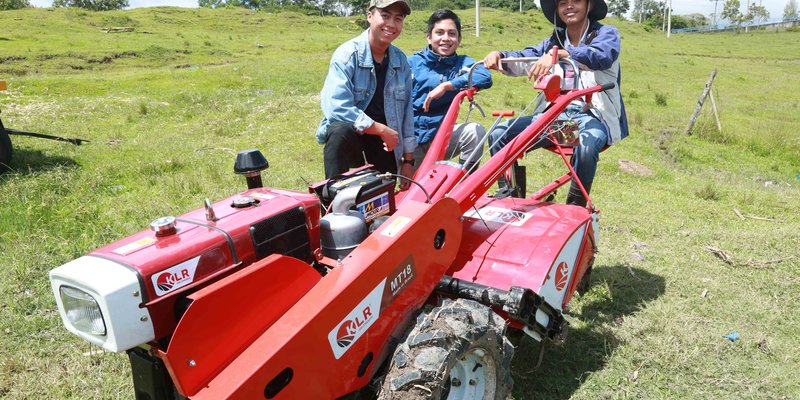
{"x": 167, "y": 106}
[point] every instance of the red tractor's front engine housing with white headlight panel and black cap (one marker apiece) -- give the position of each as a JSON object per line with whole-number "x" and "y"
{"x": 133, "y": 291}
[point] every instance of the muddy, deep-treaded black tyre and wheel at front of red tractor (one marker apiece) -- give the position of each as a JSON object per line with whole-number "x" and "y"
{"x": 456, "y": 351}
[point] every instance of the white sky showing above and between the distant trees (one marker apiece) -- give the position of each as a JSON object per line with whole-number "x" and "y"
{"x": 680, "y": 7}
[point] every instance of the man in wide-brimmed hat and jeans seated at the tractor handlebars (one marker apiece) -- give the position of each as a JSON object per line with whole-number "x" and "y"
{"x": 596, "y": 48}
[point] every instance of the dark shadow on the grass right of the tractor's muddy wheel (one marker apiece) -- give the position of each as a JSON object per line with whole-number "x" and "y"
{"x": 565, "y": 367}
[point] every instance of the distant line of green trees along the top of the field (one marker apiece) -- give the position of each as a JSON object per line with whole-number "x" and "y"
{"x": 651, "y": 13}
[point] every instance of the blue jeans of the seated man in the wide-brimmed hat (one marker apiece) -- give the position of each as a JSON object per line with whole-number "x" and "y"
{"x": 593, "y": 137}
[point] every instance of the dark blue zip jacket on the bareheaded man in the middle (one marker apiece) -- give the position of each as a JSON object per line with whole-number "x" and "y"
{"x": 429, "y": 70}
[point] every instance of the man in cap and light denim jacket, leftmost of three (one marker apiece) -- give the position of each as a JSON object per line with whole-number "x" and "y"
{"x": 366, "y": 99}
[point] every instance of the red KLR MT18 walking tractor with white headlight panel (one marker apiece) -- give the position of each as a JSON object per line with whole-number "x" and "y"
{"x": 281, "y": 294}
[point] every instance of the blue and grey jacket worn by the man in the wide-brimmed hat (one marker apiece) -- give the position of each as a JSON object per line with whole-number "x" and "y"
{"x": 598, "y": 57}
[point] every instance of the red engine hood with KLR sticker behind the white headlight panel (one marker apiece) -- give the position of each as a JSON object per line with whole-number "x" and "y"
{"x": 247, "y": 227}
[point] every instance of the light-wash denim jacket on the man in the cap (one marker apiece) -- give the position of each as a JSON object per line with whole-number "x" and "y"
{"x": 350, "y": 85}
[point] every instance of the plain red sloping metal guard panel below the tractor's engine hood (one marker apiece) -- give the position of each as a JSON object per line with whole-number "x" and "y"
{"x": 225, "y": 317}
